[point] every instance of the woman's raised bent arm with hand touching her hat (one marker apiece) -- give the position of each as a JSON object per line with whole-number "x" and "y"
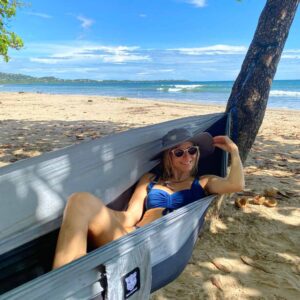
{"x": 234, "y": 182}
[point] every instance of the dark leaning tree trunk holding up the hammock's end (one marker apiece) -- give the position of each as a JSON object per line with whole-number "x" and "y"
{"x": 250, "y": 92}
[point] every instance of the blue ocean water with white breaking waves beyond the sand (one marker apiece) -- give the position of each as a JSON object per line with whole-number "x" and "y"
{"x": 284, "y": 93}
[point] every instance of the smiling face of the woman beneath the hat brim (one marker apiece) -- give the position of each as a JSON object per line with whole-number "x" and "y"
{"x": 186, "y": 162}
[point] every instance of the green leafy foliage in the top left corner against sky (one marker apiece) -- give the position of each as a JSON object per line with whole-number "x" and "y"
{"x": 8, "y": 39}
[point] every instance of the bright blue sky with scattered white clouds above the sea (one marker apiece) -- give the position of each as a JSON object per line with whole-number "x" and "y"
{"x": 198, "y": 40}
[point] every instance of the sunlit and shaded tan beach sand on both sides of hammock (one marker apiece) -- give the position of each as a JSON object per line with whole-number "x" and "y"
{"x": 248, "y": 253}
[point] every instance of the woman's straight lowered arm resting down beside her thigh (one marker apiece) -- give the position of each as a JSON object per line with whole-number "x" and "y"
{"x": 135, "y": 208}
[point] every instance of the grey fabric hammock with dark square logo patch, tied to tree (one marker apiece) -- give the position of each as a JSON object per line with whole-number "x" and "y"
{"x": 33, "y": 195}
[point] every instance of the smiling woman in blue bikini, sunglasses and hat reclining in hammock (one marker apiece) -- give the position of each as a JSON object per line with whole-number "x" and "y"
{"x": 87, "y": 219}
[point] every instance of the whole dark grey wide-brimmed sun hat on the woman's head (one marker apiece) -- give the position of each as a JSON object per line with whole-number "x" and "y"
{"x": 177, "y": 136}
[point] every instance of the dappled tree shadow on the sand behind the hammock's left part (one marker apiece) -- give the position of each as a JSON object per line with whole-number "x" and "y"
{"x": 25, "y": 139}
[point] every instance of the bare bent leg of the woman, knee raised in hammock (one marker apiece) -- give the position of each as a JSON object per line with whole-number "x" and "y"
{"x": 85, "y": 215}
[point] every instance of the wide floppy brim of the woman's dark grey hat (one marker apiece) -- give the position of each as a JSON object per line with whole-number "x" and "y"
{"x": 203, "y": 140}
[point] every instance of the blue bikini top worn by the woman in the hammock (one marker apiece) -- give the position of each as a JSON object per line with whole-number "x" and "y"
{"x": 161, "y": 198}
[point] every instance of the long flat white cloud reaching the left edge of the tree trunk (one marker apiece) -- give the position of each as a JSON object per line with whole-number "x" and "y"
{"x": 213, "y": 50}
